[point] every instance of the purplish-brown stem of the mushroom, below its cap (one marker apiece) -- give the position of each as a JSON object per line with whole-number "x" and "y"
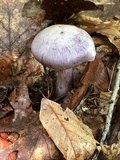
{"x": 64, "y": 81}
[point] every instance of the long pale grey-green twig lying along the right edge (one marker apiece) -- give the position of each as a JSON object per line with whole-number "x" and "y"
{"x": 112, "y": 103}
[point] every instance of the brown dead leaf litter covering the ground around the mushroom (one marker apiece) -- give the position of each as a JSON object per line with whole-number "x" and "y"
{"x": 68, "y": 132}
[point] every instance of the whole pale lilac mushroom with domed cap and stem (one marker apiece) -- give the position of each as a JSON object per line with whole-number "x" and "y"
{"x": 63, "y": 47}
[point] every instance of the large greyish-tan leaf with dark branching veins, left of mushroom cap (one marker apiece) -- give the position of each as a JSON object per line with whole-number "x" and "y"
{"x": 15, "y": 29}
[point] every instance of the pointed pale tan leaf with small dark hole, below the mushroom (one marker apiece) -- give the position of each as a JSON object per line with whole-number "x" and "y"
{"x": 71, "y": 136}
